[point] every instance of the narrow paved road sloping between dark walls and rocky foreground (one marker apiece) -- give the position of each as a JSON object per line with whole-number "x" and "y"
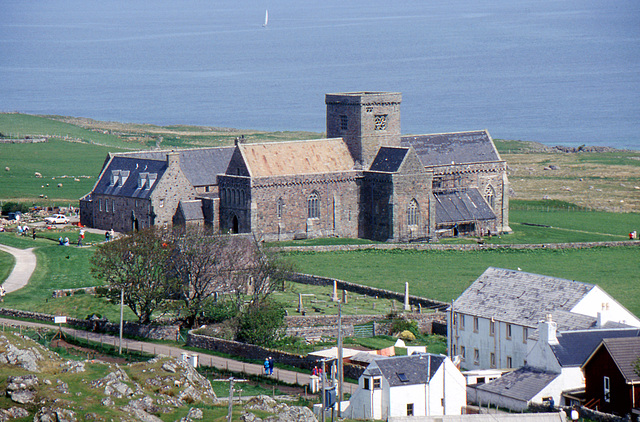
{"x": 290, "y": 377}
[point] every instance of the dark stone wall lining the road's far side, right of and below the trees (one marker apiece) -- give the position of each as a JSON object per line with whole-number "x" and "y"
{"x": 250, "y": 351}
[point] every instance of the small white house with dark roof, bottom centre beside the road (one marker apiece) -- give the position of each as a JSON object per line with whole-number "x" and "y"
{"x": 416, "y": 385}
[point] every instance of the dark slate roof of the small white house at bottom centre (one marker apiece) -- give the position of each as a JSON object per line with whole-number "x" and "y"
{"x": 409, "y": 370}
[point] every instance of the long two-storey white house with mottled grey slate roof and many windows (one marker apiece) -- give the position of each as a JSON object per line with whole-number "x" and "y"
{"x": 489, "y": 325}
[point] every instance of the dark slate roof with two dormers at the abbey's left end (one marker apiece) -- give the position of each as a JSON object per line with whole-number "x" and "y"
{"x": 135, "y": 167}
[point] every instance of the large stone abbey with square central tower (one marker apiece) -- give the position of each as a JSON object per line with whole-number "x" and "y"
{"x": 364, "y": 180}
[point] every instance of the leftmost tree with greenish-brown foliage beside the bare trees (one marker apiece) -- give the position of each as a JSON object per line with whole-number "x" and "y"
{"x": 138, "y": 264}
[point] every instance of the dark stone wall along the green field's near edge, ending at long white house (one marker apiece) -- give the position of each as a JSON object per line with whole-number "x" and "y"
{"x": 416, "y": 301}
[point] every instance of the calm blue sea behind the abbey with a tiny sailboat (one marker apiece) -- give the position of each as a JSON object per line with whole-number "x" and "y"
{"x": 558, "y": 72}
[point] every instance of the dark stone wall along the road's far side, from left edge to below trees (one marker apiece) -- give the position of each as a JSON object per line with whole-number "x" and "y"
{"x": 155, "y": 332}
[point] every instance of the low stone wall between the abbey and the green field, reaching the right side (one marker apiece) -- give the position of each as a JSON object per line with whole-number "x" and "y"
{"x": 470, "y": 247}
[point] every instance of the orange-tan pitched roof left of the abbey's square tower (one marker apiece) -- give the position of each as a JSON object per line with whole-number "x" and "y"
{"x": 298, "y": 157}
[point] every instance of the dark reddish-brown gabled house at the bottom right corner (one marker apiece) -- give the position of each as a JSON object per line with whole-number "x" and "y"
{"x": 612, "y": 377}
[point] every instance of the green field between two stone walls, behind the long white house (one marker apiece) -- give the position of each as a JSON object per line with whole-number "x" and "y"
{"x": 444, "y": 275}
